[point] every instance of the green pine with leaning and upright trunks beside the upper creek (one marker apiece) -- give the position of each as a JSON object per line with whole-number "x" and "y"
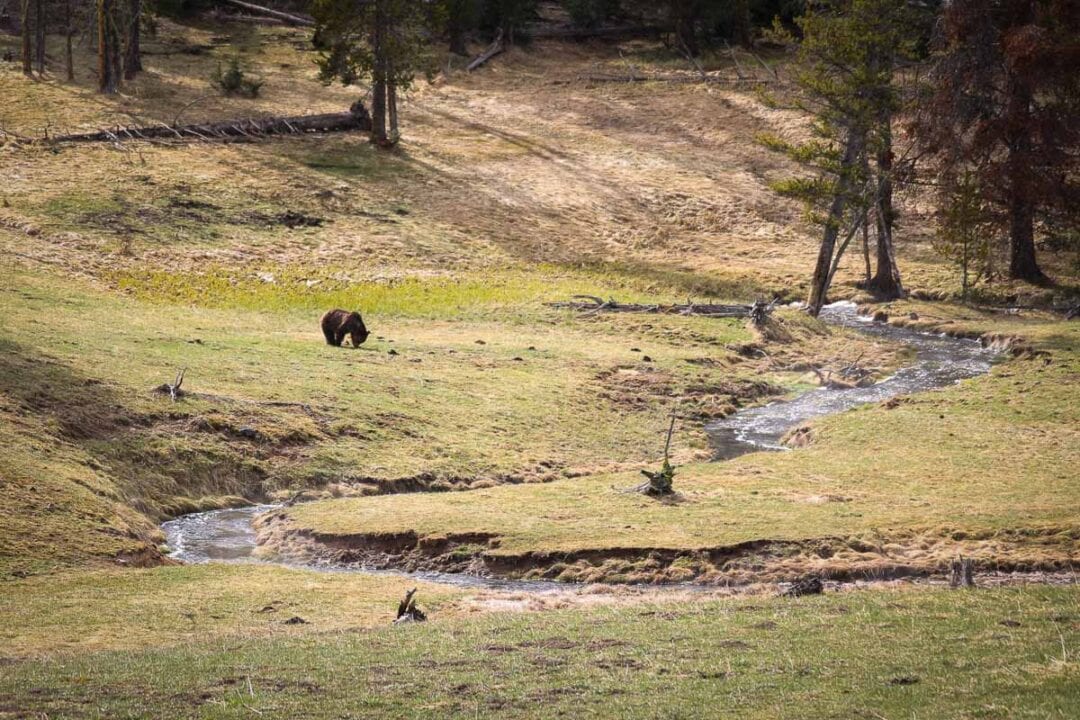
{"x": 846, "y": 78}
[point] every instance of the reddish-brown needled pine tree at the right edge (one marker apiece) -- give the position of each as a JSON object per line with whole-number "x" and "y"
{"x": 1004, "y": 100}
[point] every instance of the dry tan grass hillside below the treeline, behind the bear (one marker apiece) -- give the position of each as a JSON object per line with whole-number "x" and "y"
{"x": 515, "y": 165}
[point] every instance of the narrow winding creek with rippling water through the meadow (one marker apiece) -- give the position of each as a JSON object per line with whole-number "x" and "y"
{"x": 941, "y": 361}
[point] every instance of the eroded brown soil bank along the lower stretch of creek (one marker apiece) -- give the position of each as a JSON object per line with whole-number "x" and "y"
{"x": 844, "y": 560}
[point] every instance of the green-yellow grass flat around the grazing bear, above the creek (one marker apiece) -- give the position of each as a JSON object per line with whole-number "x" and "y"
{"x": 487, "y": 386}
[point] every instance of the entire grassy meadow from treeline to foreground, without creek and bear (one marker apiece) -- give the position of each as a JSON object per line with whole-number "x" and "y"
{"x": 484, "y": 425}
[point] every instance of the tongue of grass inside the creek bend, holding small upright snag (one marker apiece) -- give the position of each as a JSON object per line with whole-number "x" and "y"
{"x": 998, "y": 482}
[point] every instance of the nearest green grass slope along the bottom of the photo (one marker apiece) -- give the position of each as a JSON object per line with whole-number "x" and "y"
{"x": 1001, "y": 654}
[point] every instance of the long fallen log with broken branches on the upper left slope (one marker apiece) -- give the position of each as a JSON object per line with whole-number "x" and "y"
{"x": 357, "y": 119}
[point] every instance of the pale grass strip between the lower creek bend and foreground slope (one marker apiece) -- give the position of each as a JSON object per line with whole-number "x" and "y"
{"x": 82, "y": 613}
